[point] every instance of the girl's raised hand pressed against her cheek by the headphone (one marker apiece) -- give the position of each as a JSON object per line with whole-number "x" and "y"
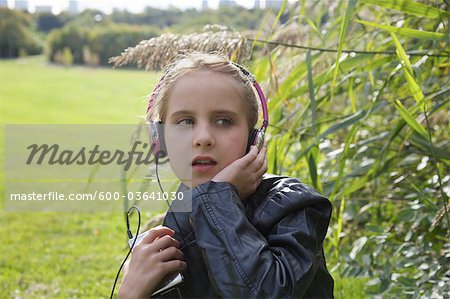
{"x": 245, "y": 173}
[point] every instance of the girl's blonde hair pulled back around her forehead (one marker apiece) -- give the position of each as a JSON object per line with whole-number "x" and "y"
{"x": 195, "y": 62}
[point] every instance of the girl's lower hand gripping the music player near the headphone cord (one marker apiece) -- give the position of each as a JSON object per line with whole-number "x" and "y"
{"x": 155, "y": 258}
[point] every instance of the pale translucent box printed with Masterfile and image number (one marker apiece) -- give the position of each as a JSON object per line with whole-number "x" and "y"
{"x": 95, "y": 168}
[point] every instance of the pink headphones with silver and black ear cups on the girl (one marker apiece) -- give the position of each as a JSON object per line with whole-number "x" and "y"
{"x": 256, "y": 136}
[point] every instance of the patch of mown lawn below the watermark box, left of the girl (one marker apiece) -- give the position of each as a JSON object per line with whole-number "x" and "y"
{"x": 59, "y": 255}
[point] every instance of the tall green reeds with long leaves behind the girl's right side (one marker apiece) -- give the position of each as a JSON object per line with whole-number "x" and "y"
{"x": 361, "y": 112}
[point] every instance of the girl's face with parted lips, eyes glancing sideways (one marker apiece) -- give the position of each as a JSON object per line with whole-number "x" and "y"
{"x": 210, "y": 104}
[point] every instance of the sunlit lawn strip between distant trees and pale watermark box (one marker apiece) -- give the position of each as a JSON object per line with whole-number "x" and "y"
{"x": 35, "y": 92}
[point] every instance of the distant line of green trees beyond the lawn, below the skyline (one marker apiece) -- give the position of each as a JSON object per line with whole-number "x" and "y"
{"x": 92, "y": 36}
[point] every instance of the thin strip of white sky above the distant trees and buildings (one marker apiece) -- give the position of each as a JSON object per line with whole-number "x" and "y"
{"x": 130, "y": 5}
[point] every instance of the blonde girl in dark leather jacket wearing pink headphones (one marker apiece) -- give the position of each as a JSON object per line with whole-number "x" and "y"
{"x": 249, "y": 234}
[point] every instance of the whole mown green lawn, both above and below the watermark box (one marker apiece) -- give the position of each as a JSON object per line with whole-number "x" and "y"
{"x": 71, "y": 255}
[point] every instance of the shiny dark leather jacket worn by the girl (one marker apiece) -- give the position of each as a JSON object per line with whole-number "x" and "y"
{"x": 268, "y": 246}
